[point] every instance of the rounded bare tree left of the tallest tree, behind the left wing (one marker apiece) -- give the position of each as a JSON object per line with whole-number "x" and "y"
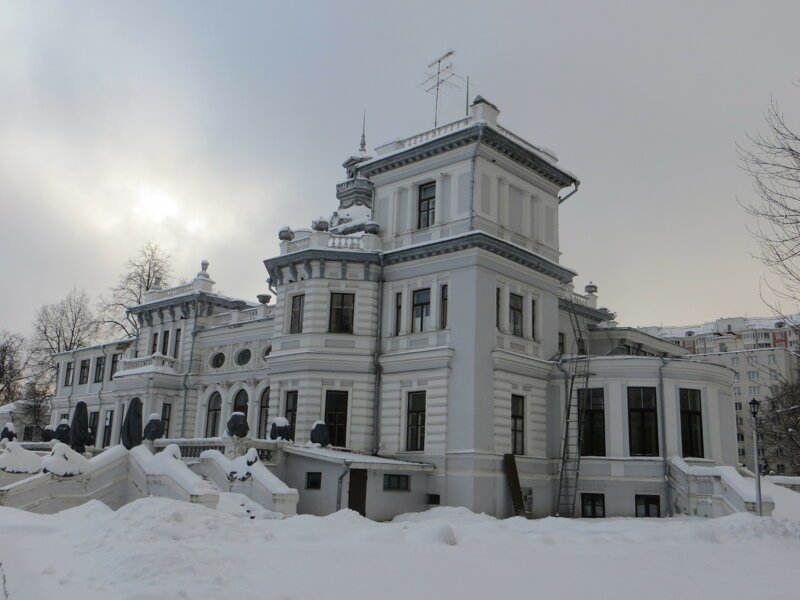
{"x": 65, "y": 325}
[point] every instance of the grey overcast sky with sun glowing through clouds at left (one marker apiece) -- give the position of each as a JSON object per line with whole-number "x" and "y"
{"x": 205, "y": 127}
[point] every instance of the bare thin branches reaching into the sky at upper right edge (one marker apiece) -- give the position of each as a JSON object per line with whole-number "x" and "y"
{"x": 772, "y": 159}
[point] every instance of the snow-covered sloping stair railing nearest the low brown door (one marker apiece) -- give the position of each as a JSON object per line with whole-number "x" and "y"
{"x": 247, "y": 475}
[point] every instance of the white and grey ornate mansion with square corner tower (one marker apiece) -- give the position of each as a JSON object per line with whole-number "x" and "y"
{"x": 429, "y": 324}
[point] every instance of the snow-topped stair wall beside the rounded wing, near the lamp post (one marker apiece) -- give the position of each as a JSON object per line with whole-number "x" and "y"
{"x": 713, "y": 491}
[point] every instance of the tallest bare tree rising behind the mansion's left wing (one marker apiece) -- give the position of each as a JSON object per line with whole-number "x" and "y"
{"x": 148, "y": 267}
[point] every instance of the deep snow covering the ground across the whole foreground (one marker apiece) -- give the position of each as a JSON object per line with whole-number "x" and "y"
{"x": 159, "y": 548}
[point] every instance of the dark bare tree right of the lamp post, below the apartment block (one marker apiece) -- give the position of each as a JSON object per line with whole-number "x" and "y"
{"x": 780, "y": 426}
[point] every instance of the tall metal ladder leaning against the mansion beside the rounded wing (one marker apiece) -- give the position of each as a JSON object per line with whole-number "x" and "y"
{"x": 572, "y": 431}
